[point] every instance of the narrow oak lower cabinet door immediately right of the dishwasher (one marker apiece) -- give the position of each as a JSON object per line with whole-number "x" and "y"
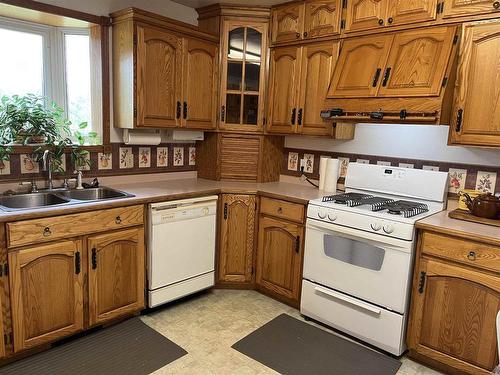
{"x": 237, "y": 238}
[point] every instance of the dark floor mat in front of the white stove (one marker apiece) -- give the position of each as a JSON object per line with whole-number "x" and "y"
{"x": 293, "y": 347}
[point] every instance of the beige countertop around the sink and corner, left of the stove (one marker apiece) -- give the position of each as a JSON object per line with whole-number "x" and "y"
{"x": 158, "y": 191}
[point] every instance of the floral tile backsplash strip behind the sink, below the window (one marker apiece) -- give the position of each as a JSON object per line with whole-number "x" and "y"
{"x": 122, "y": 160}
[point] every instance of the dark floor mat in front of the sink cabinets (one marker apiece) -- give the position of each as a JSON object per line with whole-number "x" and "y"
{"x": 128, "y": 348}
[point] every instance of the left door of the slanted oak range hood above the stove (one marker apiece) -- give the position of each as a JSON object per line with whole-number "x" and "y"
{"x": 359, "y": 68}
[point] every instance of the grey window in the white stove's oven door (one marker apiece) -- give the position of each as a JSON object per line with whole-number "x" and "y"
{"x": 354, "y": 252}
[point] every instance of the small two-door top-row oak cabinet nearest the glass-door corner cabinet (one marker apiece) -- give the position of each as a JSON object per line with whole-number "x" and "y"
{"x": 304, "y": 20}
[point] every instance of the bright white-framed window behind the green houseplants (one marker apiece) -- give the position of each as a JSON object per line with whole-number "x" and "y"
{"x": 49, "y": 61}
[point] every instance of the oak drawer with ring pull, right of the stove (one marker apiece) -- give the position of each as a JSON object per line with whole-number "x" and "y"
{"x": 459, "y": 250}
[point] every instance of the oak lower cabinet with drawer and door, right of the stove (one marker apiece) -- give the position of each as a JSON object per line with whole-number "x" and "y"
{"x": 455, "y": 301}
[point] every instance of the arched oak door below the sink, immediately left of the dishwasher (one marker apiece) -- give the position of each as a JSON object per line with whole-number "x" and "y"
{"x": 116, "y": 274}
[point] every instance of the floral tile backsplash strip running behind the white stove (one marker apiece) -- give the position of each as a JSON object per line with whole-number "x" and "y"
{"x": 462, "y": 176}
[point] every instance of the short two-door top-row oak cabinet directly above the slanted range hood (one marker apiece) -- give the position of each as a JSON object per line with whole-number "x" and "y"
{"x": 376, "y": 14}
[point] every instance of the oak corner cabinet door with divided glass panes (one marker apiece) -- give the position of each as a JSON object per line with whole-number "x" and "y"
{"x": 243, "y": 74}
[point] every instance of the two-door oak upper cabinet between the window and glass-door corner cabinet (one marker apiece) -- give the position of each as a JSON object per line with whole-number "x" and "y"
{"x": 165, "y": 73}
